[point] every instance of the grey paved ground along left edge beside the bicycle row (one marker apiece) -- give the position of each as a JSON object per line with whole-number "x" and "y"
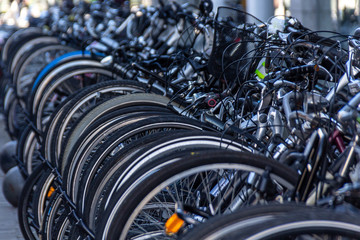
{"x": 9, "y": 227}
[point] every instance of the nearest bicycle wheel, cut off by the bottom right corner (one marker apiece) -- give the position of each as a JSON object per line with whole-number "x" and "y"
{"x": 301, "y": 224}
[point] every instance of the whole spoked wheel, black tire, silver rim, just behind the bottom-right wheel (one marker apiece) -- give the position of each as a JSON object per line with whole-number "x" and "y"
{"x": 148, "y": 198}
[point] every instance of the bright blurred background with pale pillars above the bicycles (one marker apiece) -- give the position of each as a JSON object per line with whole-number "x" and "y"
{"x": 333, "y": 15}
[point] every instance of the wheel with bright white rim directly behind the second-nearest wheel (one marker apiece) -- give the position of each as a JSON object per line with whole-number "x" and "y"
{"x": 105, "y": 174}
